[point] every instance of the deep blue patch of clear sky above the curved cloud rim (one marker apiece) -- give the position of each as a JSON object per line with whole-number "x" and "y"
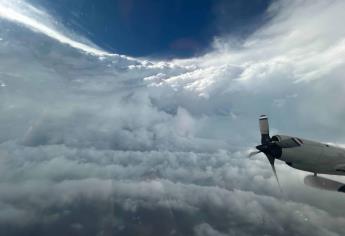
{"x": 157, "y": 28}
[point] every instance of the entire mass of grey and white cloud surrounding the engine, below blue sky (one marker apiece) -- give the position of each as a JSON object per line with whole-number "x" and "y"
{"x": 98, "y": 144}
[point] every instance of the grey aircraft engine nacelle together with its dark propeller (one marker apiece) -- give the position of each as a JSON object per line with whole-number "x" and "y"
{"x": 302, "y": 154}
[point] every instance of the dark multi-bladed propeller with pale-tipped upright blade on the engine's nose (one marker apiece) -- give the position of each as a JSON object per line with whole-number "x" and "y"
{"x": 272, "y": 149}
